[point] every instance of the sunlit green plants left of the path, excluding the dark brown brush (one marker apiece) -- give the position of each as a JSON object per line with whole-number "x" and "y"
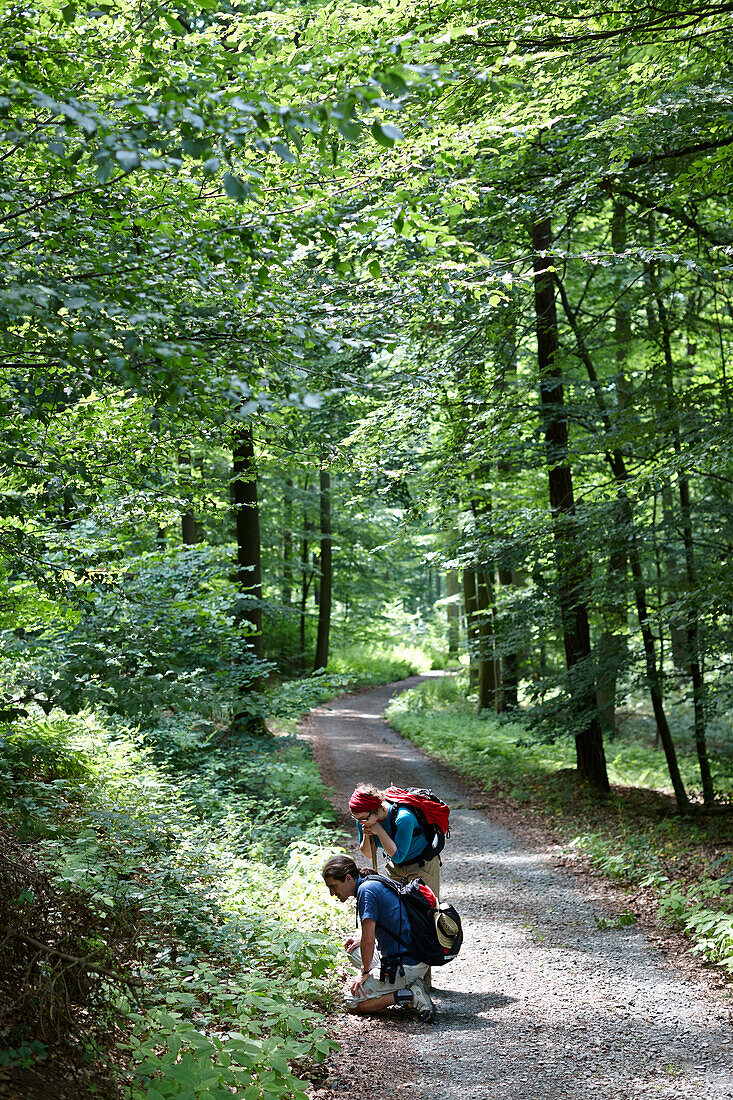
{"x": 215, "y": 851}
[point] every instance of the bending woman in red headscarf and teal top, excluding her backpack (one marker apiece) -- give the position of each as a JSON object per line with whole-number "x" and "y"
{"x": 397, "y": 830}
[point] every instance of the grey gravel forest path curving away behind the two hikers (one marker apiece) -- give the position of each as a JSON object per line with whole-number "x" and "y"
{"x": 550, "y": 998}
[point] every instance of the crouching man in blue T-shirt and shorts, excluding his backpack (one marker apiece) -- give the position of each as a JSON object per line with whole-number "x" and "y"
{"x": 390, "y": 975}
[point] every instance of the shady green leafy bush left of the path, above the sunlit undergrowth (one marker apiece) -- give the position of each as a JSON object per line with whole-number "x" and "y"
{"x": 161, "y": 635}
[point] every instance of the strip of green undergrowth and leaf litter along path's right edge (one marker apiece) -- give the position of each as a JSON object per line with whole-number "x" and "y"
{"x": 637, "y": 838}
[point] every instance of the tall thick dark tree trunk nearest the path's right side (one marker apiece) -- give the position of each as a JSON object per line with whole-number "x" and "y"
{"x": 572, "y": 569}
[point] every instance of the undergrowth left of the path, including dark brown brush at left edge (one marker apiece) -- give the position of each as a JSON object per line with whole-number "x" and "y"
{"x": 168, "y": 887}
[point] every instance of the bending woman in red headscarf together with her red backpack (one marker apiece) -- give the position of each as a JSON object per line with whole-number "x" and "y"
{"x": 410, "y": 826}
